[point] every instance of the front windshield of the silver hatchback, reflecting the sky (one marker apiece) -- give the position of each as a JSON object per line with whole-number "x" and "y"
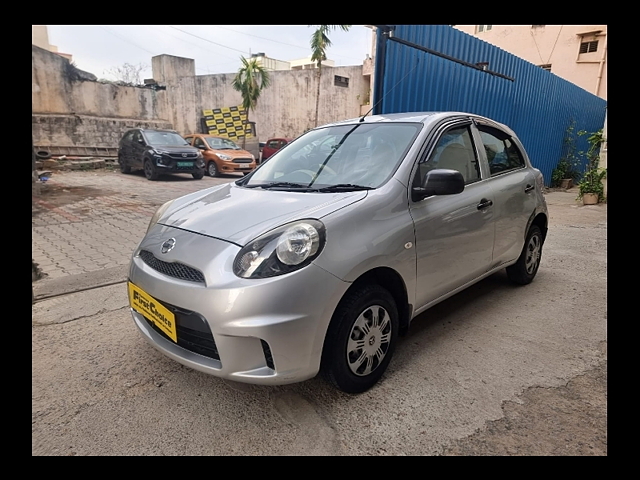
{"x": 364, "y": 155}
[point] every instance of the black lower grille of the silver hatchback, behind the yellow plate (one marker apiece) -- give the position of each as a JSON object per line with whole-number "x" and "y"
{"x": 193, "y": 332}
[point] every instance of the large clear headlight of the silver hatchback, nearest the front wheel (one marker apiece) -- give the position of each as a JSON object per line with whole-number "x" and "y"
{"x": 283, "y": 250}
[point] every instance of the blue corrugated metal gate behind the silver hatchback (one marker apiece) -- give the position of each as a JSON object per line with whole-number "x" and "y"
{"x": 449, "y": 75}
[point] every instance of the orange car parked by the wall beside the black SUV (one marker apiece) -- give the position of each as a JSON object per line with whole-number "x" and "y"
{"x": 222, "y": 155}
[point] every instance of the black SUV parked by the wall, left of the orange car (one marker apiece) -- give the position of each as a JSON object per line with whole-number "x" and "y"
{"x": 158, "y": 152}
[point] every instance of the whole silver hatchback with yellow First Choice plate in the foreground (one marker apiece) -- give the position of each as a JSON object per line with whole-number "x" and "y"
{"x": 320, "y": 258}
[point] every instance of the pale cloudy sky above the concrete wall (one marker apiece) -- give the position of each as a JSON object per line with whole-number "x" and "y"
{"x": 215, "y": 48}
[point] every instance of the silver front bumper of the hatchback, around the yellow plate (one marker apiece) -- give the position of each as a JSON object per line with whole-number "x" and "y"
{"x": 265, "y": 331}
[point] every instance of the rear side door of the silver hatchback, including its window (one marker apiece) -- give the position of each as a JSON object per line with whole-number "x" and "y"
{"x": 513, "y": 189}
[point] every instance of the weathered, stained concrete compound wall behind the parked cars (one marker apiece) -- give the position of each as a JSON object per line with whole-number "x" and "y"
{"x": 72, "y": 111}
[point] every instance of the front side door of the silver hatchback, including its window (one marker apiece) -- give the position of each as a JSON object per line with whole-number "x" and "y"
{"x": 454, "y": 233}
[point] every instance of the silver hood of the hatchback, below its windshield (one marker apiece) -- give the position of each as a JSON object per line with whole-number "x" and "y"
{"x": 238, "y": 215}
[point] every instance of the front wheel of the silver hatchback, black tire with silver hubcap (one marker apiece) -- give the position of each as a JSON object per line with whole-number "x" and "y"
{"x": 361, "y": 339}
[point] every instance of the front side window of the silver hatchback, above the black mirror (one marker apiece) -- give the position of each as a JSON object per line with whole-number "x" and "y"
{"x": 454, "y": 151}
